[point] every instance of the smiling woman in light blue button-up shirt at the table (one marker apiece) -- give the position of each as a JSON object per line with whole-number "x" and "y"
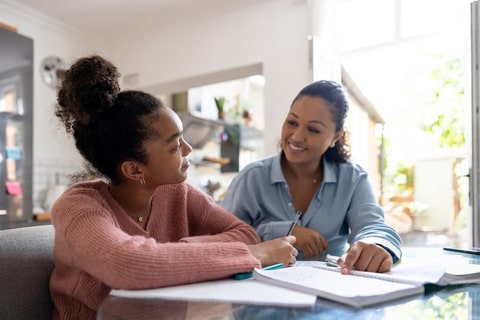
{"x": 313, "y": 174}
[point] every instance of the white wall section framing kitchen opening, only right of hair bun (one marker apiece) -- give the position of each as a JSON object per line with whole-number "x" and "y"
{"x": 273, "y": 33}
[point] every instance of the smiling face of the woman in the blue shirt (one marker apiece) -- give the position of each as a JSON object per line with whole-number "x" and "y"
{"x": 308, "y": 130}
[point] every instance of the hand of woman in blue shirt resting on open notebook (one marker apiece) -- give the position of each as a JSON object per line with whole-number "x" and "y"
{"x": 364, "y": 256}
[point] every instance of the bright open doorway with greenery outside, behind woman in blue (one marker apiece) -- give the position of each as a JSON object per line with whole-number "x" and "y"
{"x": 411, "y": 59}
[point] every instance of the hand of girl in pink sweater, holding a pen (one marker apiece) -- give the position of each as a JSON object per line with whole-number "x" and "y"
{"x": 280, "y": 250}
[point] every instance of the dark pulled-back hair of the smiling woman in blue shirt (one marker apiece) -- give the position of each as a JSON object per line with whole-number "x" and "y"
{"x": 335, "y": 95}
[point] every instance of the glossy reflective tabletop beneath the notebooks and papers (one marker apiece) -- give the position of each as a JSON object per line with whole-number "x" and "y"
{"x": 454, "y": 302}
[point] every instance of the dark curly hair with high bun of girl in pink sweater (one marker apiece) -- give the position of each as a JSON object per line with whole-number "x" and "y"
{"x": 109, "y": 126}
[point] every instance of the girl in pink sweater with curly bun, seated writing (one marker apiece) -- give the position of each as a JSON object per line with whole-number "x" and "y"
{"x": 140, "y": 226}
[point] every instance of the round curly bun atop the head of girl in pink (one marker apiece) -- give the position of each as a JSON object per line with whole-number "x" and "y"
{"x": 90, "y": 87}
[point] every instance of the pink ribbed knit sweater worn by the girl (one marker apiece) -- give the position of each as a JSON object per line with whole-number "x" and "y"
{"x": 188, "y": 239}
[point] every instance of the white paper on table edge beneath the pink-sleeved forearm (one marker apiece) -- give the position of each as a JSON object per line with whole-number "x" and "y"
{"x": 233, "y": 291}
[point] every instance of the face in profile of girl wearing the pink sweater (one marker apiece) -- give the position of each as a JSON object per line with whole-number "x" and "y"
{"x": 167, "y": 162}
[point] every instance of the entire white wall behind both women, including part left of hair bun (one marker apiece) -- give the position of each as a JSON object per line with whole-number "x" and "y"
{"x": 272, "y": 33}
